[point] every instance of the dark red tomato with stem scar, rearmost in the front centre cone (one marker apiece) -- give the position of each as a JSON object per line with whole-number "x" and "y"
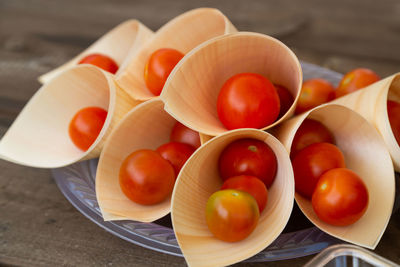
{"x": 248, "y": 157}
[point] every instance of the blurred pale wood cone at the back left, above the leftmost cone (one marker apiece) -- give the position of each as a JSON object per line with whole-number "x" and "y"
{"x": 120, "y": 44}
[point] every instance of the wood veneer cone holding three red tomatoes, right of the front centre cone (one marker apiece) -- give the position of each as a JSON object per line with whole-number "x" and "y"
{"x": 366, "y": 154}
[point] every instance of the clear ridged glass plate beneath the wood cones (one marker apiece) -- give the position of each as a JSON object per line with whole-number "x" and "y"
{"x": 300, "y": 237}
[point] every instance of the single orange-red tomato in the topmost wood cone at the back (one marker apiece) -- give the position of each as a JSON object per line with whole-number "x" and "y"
{"x": 158, "y": 68}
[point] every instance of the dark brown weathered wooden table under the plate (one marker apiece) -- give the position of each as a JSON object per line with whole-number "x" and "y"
{"x": 38, "y": 226}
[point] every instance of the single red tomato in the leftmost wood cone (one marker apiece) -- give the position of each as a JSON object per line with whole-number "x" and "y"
{"x": 86, "y": 125}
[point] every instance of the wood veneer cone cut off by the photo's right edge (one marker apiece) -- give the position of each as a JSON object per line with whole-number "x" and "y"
{"x": 371, "y": 103}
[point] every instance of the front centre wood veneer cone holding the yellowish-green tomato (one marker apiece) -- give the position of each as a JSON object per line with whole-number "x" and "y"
{"x": 199, "y": 179}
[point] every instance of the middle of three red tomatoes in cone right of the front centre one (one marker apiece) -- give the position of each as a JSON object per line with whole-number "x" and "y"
{"x": 311, "y": 162}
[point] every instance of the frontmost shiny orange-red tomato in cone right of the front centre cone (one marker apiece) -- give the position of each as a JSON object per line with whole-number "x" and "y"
{"x": 340, "y": 197}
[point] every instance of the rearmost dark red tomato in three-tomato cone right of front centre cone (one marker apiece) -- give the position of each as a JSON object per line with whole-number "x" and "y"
{"x": 310, "y": 132}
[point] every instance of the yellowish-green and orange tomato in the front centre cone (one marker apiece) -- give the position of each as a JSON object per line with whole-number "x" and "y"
{"x": 231, "y": 215}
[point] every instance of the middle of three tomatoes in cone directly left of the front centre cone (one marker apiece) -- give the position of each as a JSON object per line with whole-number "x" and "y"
{"x": 176, "y": 153}
